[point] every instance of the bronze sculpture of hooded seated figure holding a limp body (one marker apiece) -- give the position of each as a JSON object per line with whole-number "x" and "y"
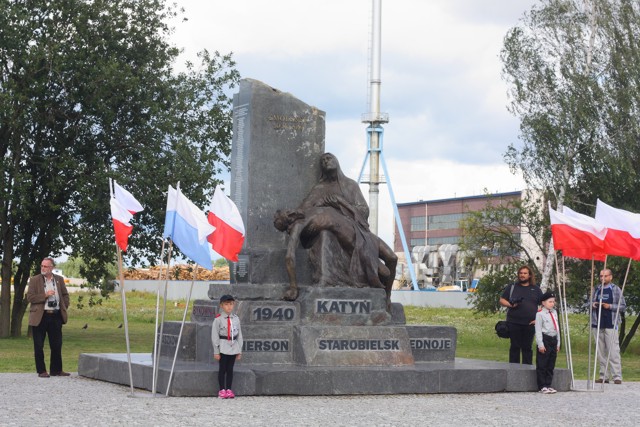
{"x": 336, "y": 209}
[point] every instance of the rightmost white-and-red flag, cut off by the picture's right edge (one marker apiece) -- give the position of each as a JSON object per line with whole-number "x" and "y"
{"x": 623, "y": 238}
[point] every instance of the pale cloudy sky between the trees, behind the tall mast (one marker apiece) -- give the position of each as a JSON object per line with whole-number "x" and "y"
{"x": 440, "y": 82}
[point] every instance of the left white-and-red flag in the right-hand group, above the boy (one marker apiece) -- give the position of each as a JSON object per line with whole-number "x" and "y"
{"x": 577, "y": 235}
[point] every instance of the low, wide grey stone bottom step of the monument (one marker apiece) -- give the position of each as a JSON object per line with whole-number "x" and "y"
{"x": 200, "y": 379}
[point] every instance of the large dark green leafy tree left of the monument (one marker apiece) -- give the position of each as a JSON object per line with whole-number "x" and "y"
{"x": 88, "y": 92}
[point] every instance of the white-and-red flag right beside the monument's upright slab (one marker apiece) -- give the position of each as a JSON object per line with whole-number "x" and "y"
{"x": 228, "y": 237}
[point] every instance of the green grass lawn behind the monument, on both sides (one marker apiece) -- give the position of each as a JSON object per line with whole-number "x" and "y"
{"x": 476, "y": 337}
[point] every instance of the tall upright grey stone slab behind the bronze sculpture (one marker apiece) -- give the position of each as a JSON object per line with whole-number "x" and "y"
{"x": 277, "y": 140}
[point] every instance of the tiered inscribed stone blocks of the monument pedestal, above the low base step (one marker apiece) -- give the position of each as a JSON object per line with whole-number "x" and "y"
{"x": 324, "y": 327}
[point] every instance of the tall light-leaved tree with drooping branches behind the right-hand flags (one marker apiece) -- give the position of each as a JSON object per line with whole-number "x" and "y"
{"x": 573, "y": 72}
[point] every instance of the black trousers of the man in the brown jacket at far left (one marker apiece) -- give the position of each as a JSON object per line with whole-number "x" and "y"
{"x": 51, "y": 326}
